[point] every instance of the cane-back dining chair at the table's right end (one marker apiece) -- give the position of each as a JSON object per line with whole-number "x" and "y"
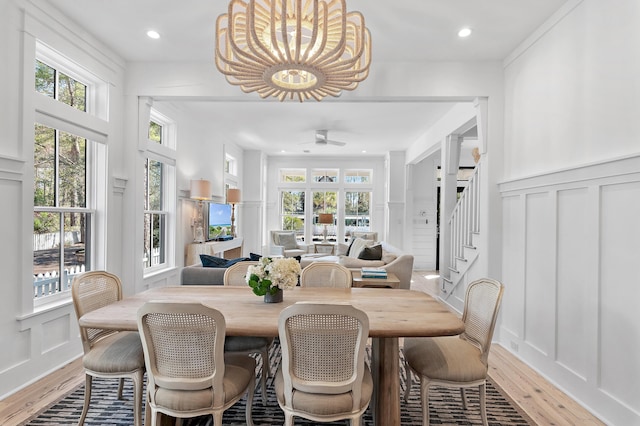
{"x": 457, "y": 361}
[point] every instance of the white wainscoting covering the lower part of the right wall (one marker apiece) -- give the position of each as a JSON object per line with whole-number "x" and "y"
{"x": 571, "y": 269}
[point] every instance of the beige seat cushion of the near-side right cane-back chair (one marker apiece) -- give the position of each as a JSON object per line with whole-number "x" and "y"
{"x": 325, "y": 404}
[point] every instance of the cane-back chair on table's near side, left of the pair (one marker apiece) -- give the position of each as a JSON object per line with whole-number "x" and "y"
{"x": 188, "y": 373}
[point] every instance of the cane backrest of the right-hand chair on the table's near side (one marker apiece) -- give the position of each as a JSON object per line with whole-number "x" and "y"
{"x": 323, "y": 347}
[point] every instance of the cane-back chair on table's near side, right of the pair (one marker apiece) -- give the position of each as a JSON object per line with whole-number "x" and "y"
{"x": 323, "y": 376}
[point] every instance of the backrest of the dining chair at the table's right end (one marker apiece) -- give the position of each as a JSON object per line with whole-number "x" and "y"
{"x": 482, "y": 302}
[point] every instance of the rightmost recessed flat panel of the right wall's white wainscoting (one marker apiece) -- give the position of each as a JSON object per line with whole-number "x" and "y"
{"x": 619, "y": 304}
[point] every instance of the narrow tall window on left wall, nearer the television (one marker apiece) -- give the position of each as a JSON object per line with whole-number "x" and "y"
{"x": 159, "y": 174}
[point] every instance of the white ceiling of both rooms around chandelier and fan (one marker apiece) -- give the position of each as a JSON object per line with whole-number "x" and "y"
{"x": 402, "y": 30}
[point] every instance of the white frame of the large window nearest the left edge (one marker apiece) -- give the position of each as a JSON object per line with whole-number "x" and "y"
{"x": 89, "y": 125}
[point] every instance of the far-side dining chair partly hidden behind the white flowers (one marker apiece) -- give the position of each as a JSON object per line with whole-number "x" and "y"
{"x": 235, "y": 276}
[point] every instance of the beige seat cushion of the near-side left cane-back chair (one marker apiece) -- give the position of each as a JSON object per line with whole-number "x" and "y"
{"x": 238, "y": 372}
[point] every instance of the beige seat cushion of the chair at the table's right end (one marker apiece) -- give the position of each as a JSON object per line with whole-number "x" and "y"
{"x": 445, "y": 358}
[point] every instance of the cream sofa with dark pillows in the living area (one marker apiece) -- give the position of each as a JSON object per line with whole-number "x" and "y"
{"x": 393, "y": 260}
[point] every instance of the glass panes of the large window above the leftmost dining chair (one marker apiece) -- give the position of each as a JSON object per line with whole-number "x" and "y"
{"x": 64, "y": 206}
